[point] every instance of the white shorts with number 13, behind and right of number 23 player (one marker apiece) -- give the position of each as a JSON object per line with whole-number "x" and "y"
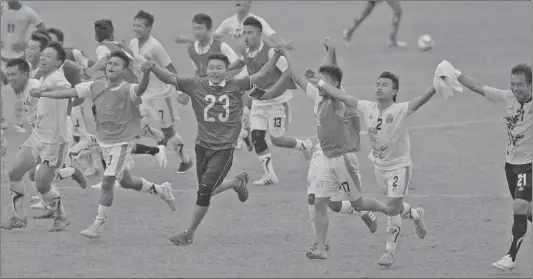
{"x": 272, "y": 118}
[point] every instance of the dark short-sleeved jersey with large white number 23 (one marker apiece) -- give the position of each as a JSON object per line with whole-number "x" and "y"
{"x": 218, "y": 110}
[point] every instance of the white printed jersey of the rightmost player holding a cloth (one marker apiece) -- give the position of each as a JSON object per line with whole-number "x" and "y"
{"x": 518, "y": 117}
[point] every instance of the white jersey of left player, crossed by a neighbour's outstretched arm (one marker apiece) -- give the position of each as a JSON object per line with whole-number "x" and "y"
{"x": 51, "y": 123}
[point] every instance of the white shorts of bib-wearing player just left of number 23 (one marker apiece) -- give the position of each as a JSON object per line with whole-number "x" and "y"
{"x": 118, "y": 159}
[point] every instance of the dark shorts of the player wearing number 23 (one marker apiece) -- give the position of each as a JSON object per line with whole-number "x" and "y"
{"x": 212, "y": 166}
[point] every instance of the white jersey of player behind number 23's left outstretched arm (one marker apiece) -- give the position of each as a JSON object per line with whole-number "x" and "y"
{"x": 156, "y": 53}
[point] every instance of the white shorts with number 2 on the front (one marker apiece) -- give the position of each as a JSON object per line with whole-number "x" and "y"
{"x": 394, "y": 183}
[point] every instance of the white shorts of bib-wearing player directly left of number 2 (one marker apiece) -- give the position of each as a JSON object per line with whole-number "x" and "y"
{"x": 337, "y": 178}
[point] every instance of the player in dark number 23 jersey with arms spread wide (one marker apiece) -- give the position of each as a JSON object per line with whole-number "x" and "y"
{"x": 217, "y": 103}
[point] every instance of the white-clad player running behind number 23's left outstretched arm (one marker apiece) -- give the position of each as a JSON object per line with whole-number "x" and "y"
{"x": 158, "y": 99}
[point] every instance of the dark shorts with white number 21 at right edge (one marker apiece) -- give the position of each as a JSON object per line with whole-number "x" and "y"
{"x": 519, "y": 180}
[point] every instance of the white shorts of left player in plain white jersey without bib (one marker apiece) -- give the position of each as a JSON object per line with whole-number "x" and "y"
{"x": 51, "y": 154}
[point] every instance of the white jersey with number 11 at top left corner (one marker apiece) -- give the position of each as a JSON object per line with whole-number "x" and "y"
{"x": 15, "y": 27}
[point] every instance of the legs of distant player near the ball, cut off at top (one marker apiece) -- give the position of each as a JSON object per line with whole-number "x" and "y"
{"x": 396, "y": 17}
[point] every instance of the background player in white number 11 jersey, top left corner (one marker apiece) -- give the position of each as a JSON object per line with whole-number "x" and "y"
{"x": 16, "y": 21}
